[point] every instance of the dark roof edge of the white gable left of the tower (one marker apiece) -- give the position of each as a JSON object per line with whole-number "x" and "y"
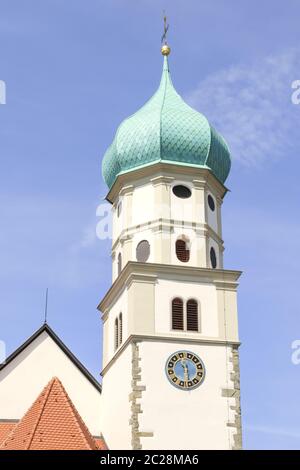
{"x": 46, "y": 328}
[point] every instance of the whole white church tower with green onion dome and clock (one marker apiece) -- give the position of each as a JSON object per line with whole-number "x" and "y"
{"x": 170, "y": 330}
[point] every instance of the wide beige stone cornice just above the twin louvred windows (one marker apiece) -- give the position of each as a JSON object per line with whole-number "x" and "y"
{"x": 133, "y": 269}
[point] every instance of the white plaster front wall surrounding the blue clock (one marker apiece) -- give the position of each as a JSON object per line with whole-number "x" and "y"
{"x": 180, "y": 419}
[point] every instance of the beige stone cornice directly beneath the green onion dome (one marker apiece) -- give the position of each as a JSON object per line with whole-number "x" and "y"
{"x": 201, "y": 176}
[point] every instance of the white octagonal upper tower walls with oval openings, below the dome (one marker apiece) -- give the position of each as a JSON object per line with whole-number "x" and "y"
{"x": 143, "y": 208}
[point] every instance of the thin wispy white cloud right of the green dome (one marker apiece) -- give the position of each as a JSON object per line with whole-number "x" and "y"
{"x": 250, "y": 104}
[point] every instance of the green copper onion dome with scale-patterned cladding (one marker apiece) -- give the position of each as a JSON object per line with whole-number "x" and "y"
{"x": 166, "y": 130}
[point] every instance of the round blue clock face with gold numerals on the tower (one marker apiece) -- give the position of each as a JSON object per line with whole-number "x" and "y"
{"x": 185, "y": 370}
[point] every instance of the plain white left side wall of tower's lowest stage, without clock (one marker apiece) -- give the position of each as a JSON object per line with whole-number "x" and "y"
{"x": 115, "y": 405}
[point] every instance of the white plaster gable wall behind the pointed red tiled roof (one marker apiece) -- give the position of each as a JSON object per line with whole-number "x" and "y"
{"x": 22, "y": 380}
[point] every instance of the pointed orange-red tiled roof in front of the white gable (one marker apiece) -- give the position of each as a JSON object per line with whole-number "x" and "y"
{"x": 51, "y": 423}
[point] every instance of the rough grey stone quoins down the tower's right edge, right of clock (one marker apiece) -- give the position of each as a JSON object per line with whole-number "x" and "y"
{"x": 235, "y": 393}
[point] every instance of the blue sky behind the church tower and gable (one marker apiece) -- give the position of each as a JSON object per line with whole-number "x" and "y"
{"x": 73, "y": 70}
